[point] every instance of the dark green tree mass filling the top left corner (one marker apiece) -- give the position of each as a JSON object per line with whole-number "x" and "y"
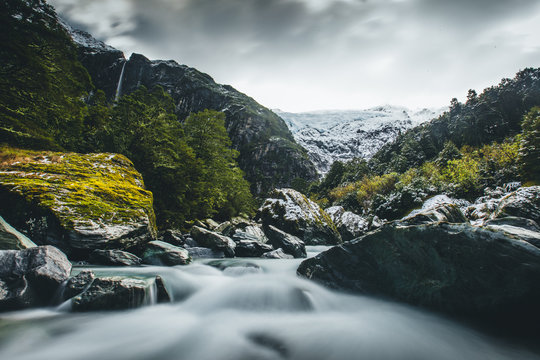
{"x": 42, "y": 85}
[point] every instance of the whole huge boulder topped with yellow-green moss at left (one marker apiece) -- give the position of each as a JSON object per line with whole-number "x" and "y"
{"x": 77, "y": 202}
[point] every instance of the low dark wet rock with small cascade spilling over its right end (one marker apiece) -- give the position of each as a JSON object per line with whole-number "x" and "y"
{"x": 114, "y": 293}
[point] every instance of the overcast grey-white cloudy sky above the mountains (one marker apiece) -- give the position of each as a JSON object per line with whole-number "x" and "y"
{"x": 300, "y": 55}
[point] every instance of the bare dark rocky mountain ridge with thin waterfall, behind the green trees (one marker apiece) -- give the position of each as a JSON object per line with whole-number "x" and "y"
{"x": 269, "y": 155}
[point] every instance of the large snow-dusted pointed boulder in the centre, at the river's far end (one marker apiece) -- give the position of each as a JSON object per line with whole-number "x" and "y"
{"x": 294, "y": 213}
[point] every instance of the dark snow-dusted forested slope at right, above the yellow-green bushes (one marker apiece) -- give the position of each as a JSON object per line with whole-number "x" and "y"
{"x": 493, "y": 115}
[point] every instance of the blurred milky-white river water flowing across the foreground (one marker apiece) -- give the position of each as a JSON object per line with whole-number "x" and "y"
{"x": 244, "y": 309}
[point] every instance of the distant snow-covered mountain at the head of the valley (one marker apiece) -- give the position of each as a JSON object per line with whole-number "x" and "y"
{"x": 343, "y": 135}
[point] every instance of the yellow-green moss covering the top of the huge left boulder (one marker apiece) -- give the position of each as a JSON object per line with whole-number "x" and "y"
{"x": 78, "y": 188}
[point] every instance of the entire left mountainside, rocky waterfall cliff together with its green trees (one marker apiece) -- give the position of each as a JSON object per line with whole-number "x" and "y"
{"x": 63, "y": 90}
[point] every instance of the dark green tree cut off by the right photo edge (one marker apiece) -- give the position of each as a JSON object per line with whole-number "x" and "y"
{"x": 529, "y": 151}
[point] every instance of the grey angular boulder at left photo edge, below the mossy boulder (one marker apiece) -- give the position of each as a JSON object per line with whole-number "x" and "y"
{"x": 31, "y": 277}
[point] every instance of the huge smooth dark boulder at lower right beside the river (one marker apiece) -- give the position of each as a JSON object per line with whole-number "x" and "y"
{"x": 454, "y": 268}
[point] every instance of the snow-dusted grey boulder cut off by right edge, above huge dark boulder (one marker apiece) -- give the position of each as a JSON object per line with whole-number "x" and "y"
{"x": 524, "y": 202}
